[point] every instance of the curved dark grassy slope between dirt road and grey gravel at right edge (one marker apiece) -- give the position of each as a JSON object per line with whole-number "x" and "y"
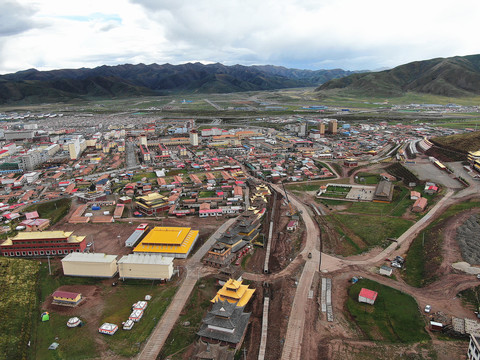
{"x": 424, "y": 255}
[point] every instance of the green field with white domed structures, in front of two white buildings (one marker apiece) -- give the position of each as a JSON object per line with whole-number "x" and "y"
{"x": 81, "y": 342}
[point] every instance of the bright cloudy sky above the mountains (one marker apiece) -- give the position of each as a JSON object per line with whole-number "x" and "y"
{"x": 306, "y": 34}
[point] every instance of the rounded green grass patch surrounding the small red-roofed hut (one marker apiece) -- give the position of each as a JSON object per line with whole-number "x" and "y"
{"x": 394, "y": 317}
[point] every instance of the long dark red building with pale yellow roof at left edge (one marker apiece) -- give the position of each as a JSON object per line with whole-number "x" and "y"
{"x": 43, "y": 243}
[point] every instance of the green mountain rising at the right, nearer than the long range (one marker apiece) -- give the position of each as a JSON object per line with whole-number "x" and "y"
{"x": 454, "y": 77}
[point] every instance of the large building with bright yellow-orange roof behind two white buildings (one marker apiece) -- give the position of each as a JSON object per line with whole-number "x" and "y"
{"x": 169, "y": 241}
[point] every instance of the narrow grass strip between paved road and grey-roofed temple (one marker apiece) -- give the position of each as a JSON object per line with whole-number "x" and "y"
{"x": 195, "y": 309}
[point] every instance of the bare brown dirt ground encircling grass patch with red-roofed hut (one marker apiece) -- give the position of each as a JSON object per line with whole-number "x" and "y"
{"x": 341, "y": 339}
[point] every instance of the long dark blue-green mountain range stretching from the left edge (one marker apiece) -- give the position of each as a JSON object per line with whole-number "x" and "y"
{"x": 33, "y": 86}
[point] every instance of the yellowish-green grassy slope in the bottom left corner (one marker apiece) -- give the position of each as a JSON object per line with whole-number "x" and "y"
{"x": 17, "y": 306}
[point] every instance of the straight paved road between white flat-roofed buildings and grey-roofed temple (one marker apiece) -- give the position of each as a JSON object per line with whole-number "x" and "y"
{"x": 194, "y": 271}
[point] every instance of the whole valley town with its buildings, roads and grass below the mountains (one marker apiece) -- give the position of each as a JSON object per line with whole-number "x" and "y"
{"x": 285, "y": 235}
